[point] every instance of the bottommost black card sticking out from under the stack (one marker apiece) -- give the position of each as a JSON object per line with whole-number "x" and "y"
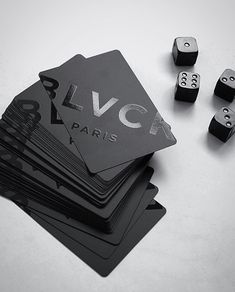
{"x": 104, "y": 267}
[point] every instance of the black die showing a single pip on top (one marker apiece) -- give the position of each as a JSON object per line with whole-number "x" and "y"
{"x": 185, "y": 51}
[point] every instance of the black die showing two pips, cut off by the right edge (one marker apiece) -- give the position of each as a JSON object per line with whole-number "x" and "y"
{"x": 225, "y": 87}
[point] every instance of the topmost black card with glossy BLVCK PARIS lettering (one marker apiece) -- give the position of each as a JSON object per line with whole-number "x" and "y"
{"x": 107, "y": 112}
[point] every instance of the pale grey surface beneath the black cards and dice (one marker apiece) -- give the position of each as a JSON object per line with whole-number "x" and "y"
{"x": 192, "y": 248}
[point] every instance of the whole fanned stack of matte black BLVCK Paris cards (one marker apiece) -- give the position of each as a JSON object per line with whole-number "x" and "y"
{"x": 74, "y": 153}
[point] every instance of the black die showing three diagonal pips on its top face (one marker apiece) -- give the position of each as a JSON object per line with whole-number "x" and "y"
{"x": 223, "y": 124}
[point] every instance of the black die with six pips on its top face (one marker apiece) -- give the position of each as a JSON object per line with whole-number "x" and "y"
{"x": 187, "y": 86}
